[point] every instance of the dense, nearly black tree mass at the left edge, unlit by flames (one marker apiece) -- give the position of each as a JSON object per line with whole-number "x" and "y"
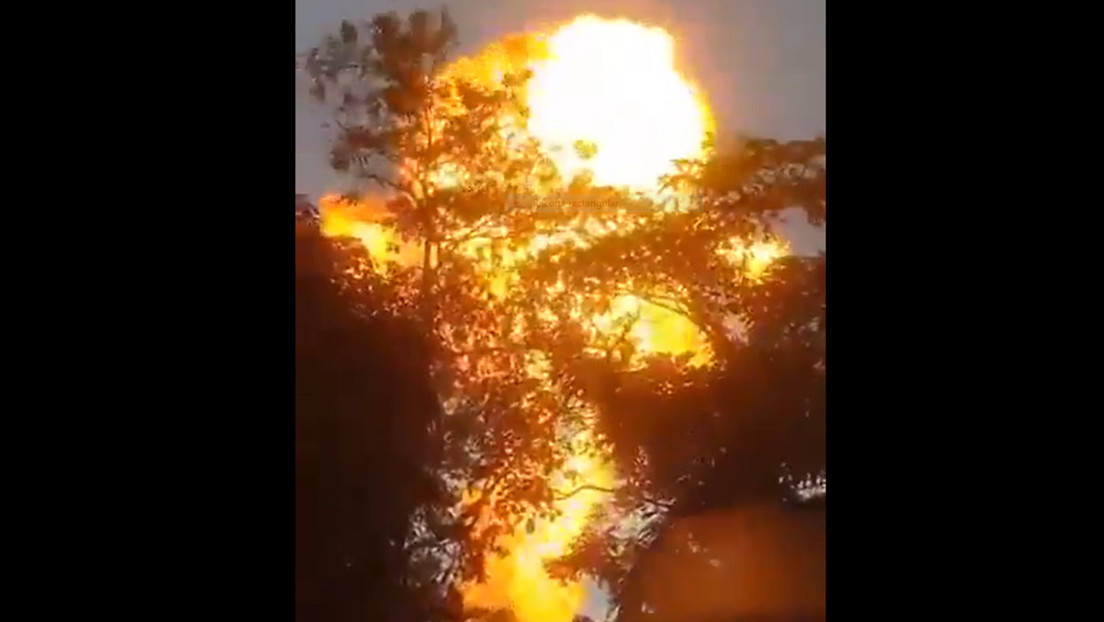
{"x": 365, "y": 440}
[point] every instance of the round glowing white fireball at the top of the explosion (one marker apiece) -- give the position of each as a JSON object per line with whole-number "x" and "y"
{"x": 613, "y": 85}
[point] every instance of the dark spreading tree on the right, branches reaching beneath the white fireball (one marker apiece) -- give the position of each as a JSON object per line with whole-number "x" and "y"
{"x": 692, "y": 441}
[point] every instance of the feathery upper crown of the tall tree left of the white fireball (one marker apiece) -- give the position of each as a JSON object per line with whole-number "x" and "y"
{"x": 430, "y": 138}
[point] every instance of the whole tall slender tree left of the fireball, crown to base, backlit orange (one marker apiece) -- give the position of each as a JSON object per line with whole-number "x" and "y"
{"x": 448, "y": 150}
